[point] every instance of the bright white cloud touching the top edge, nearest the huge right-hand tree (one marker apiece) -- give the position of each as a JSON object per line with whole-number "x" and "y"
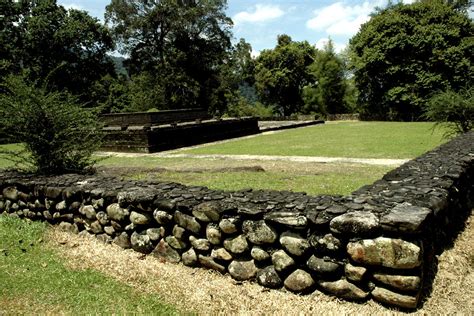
{"x": 342, "y": 19}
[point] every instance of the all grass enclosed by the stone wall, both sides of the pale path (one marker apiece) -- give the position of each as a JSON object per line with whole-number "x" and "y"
{"x": 335, "y": 139}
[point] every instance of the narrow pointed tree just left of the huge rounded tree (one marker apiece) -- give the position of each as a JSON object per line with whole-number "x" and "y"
{"x": 326, "y": 94}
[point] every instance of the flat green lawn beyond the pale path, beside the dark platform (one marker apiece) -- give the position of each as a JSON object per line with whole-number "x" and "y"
{"x": 339, "y": 139}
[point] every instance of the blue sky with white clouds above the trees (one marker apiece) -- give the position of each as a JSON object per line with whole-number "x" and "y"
{"x": 260, "y": 21}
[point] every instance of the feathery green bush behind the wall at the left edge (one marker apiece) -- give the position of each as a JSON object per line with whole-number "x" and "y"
{"x": 58, "y": 135}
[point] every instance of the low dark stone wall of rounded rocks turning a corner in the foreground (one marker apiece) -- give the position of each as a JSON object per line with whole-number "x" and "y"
{"x": 377, "y": 243}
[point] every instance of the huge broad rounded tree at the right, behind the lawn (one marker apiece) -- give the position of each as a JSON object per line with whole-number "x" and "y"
{"x": 407, "y": 52}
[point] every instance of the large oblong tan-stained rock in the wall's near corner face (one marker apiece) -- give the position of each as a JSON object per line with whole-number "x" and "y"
{"x": 386, "y": 252}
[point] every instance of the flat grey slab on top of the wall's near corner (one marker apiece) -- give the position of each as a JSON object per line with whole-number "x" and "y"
{"x": 405, "y": 218}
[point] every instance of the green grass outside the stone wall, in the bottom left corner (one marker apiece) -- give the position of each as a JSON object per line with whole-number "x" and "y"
{"x": 34, "y": 280}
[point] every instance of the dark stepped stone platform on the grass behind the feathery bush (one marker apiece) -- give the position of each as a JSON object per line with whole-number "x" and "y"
{"x": 149, "y": 132}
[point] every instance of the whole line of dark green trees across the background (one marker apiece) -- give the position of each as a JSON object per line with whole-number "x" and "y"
{"x": 180, "y": 54}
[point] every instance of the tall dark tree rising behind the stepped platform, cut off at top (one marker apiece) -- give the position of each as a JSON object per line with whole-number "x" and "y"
{"x": 178, "y": 44}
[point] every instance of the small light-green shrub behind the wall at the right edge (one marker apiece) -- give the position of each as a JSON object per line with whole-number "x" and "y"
{"x": 453, "y": 109}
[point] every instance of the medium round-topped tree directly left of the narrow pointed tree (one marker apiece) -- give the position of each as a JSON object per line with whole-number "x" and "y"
{"x": 281, "y": 74}
